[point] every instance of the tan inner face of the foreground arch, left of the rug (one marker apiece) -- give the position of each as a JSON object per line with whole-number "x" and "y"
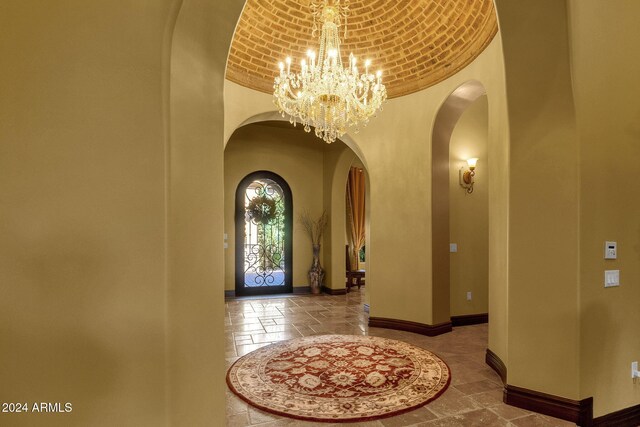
{"x": 195, "y": 305}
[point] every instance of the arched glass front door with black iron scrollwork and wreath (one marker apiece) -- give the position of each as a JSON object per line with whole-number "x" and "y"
{"x": 264, "y": 209}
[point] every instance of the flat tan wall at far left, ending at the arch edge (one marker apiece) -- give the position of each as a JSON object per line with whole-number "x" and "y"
{"x": 82, "y": 218}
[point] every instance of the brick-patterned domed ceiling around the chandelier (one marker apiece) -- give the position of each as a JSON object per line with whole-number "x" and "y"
{"x": 416, "y": 43}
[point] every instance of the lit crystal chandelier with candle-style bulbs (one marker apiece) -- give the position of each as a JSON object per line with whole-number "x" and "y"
{"x": 325, "y": 94}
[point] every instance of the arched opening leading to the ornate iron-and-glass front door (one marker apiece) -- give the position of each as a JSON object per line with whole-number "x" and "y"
{"x": 316, "y": 173}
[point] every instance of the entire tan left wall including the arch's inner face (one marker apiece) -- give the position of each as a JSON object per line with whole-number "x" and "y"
{"x": 103, "y": 293}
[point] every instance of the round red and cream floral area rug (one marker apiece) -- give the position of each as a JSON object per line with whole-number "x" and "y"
{"x": 338, "y": 378}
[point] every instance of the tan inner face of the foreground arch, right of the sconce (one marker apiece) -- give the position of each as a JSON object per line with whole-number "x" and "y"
{"x": 543, "y": 209}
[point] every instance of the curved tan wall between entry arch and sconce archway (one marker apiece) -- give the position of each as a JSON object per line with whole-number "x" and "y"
{"x": 398, "y": 159}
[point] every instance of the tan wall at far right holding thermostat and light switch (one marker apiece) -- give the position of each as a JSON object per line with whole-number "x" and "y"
{"x": 608, "y": 109}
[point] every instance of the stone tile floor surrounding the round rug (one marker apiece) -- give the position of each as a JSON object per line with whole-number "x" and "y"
{"x": 474, "y": 397}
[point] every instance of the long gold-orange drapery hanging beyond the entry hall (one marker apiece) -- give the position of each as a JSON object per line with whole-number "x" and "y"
{"x": 355, "y": 214}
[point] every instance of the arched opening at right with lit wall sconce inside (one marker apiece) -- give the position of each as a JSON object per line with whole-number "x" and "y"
{"x": 453, "y": 293}
